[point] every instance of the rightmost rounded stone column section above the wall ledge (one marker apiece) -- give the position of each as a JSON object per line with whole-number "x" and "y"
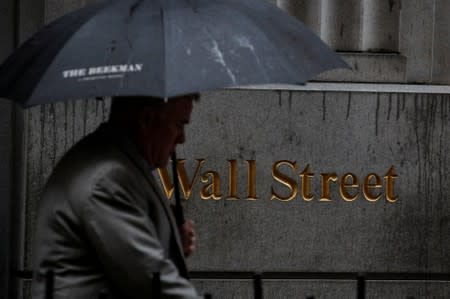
{"x": 380, "y": 25}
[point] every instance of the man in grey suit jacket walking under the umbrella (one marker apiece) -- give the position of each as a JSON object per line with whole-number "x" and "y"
{"x": 103, "y": 224}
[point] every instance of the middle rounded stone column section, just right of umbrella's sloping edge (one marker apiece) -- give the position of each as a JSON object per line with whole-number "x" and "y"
{"x": 341, "y": 24}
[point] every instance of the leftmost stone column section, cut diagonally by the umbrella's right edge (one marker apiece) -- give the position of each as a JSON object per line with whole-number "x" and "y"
{"x": 307, "y": 11}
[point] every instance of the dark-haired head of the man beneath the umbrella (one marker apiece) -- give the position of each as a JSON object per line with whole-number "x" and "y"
{"x": 156, "y": 127}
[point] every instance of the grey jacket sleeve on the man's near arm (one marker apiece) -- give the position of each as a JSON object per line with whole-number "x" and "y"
{"x": 125, "y": 240}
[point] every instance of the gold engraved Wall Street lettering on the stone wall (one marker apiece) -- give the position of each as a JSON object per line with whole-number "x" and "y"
{"x": 288, "y": 174}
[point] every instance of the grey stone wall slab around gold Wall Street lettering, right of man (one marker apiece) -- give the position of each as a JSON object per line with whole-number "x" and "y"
{"x": 339, "y": 132}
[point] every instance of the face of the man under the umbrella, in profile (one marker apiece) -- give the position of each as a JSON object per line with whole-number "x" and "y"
{"x": 165, "y": 130}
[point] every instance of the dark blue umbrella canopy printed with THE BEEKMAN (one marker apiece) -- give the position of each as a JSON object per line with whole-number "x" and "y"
{"x": 163, "y": 48}
